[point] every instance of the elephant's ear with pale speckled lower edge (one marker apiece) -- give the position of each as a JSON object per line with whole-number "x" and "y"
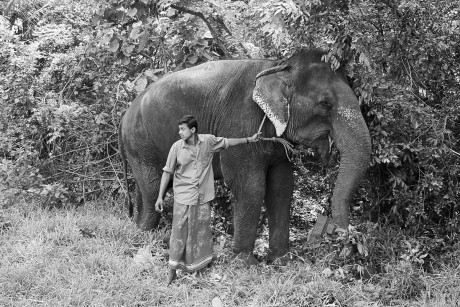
{"x": 272, "y": 94}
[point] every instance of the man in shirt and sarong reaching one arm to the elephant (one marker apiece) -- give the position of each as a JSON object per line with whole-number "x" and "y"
{"x": 190, "y": 161}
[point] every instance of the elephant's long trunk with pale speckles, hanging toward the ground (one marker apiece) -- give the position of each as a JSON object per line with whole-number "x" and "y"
{"x": 353, "y": 141}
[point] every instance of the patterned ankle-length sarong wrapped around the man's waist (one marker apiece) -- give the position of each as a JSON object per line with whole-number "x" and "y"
{"x": 191, "y": 247}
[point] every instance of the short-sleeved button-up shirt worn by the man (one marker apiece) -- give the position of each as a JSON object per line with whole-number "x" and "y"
{"x": 193, "y": 175}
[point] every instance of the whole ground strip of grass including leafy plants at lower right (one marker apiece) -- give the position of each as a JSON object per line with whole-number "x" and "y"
{"x": 94, "y": 255}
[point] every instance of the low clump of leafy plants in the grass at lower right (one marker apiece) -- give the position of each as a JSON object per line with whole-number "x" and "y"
{"x": 383, "y": 255}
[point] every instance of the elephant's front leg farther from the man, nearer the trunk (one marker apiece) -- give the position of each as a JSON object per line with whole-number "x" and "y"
{"x": 278, "y": 197}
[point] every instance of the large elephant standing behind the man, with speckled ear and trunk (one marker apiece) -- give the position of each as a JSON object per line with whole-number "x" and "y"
{"x": 306, "y": 102}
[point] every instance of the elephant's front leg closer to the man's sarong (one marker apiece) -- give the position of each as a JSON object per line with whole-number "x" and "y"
{"x": 249, "y": 192}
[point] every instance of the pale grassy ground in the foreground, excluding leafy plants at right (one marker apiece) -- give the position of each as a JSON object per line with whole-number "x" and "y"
{"x": 95, "y": 256}
